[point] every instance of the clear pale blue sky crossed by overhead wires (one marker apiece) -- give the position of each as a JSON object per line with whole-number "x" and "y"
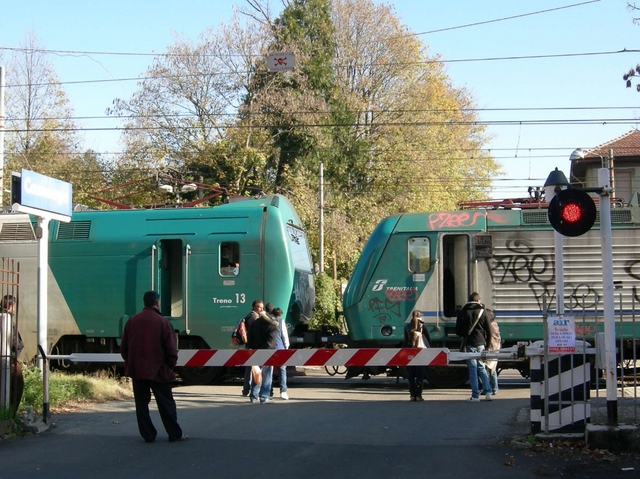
{"x": 527, "y": 152}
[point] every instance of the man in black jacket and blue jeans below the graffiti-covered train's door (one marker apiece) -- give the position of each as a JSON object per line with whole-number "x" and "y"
{"x": 474, "y": 327}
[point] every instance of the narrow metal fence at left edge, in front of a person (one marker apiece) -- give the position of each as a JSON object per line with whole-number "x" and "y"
{"x": 9, "y": 286}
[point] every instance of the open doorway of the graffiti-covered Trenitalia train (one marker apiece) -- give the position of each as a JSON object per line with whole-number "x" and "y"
{"x": 455, "y": 273}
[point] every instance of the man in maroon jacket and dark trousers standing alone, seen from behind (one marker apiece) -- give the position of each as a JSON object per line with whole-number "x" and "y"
{"x": 149, "y": 351}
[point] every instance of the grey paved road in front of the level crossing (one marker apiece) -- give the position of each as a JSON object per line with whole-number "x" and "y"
{"x": 331, "y": 427}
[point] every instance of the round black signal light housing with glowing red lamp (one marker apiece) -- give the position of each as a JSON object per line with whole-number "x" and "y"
{"x": 572, "y": 212}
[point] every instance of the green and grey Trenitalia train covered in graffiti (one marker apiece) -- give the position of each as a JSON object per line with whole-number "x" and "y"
{"x": 433, "y": 261}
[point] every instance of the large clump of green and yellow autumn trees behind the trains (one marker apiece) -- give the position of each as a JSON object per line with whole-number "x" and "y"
{"x": 366, "y": 100}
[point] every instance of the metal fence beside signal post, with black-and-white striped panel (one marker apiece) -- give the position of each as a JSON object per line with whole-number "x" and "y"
{"x": 575, "y": 394}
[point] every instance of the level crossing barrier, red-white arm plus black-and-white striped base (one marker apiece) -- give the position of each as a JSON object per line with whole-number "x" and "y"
{"x": 559, "y": 403}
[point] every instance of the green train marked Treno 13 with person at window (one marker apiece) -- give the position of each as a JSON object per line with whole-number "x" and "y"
{"x": 208, "y": 264}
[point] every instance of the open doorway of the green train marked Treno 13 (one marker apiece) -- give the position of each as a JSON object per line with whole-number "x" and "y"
{"x": 169, "y": 276}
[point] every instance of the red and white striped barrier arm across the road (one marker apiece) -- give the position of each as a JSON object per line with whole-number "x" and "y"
{"x": 290, "y": 357}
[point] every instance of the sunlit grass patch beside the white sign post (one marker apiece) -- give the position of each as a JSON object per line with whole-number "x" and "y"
{"x": 67, "y": 391}
